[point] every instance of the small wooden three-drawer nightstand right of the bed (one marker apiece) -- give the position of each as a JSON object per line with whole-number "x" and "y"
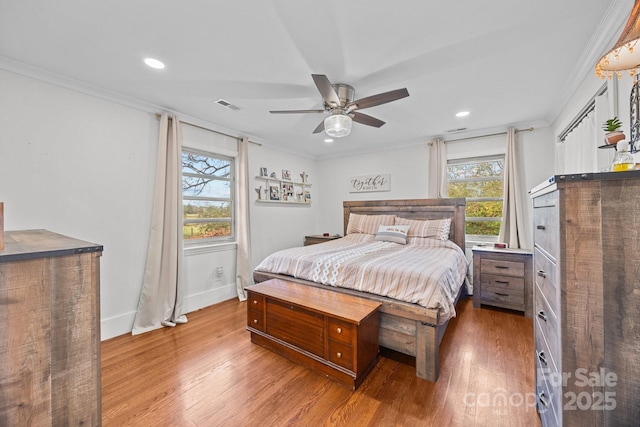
{"x": 503, "y": 278}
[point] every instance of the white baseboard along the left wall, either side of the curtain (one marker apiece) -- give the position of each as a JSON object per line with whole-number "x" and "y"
{"x": 122, "y": 324}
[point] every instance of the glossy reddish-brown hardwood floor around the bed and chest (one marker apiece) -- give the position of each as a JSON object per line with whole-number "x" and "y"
{"x": 208, "y": 373}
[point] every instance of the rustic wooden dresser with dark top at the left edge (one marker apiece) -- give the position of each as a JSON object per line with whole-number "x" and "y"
{"x": 50, "y": 330}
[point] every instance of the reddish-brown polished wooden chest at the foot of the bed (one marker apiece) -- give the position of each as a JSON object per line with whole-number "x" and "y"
{"x": 333, "y": 334}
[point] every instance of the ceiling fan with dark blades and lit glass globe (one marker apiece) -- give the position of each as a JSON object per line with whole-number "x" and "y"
{"x": 339, "y": 103}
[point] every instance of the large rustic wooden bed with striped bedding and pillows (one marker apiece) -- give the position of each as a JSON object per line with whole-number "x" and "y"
{"x": 408, "y": 327}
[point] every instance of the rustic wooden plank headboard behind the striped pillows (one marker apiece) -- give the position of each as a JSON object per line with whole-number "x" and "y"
{"x": 414, "y": 209}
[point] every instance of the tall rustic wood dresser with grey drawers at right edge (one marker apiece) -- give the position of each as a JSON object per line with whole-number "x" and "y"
{"x": 587, "y": 299}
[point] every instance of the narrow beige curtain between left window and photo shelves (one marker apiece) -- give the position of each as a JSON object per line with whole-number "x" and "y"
{"x": 244, "y": 276}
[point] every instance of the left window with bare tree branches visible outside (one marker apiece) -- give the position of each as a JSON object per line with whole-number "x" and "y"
{"x": 207, "y": 197}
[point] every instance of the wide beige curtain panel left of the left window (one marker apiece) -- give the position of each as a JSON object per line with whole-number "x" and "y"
{"x": 162, "y": 285}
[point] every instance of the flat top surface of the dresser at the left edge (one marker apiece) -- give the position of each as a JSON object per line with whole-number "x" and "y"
{"x": 32, "y": 244}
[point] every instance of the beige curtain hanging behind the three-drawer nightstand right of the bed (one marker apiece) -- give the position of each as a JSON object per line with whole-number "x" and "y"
{"x": 512, "y": 229}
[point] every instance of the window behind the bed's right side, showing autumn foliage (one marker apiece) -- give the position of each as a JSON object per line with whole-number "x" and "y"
{"x": 479, "y": 180}
